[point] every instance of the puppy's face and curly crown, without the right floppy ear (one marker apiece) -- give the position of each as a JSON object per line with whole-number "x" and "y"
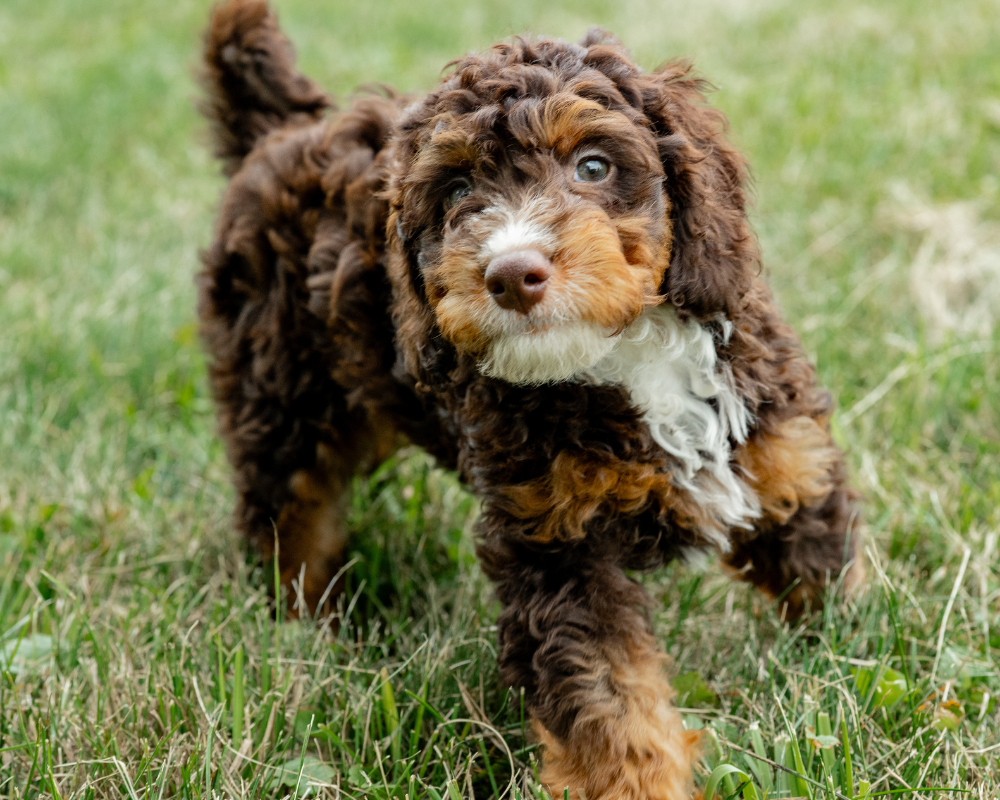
{"x": 532, "y": 206}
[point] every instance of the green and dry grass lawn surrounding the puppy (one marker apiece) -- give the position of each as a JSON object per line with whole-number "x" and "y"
{"x": 138, "y": 656}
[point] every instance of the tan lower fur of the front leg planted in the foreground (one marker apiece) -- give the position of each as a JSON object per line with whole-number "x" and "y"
{"x": 629, "y": 743}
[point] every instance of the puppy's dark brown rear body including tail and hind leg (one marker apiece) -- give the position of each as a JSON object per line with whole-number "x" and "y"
{"x": 294, "y": 299}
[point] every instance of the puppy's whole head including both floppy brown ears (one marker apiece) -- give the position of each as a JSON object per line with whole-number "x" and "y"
{"x": 545, "y": 194}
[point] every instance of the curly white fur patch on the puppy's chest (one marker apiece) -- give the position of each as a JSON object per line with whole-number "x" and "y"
{"x": 672, "y": 374}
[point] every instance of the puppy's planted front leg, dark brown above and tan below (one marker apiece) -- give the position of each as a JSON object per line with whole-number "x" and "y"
{"x": 575, "y": 634}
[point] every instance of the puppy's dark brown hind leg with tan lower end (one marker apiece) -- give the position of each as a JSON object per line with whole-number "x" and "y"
{"x": 293, "y": 441}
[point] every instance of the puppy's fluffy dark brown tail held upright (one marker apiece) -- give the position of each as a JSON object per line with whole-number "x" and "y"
{"x": 250, "y": 79}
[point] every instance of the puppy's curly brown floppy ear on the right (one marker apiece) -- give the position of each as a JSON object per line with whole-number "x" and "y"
{"x": 715, "y": 255}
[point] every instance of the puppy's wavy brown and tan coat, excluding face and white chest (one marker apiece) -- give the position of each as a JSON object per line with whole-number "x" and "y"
{"x": 326, "y": 355}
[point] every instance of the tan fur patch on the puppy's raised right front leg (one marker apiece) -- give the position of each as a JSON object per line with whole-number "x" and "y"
{"x": 790, "y": 467}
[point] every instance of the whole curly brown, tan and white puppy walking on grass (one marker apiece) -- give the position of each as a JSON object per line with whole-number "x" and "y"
{"x": 541, "y": 272}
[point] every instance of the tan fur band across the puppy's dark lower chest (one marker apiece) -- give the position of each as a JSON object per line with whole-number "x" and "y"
{"x": 578, "y": 486}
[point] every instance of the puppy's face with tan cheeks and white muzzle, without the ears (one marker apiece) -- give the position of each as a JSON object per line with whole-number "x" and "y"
{"x": 549, "y": 232}
